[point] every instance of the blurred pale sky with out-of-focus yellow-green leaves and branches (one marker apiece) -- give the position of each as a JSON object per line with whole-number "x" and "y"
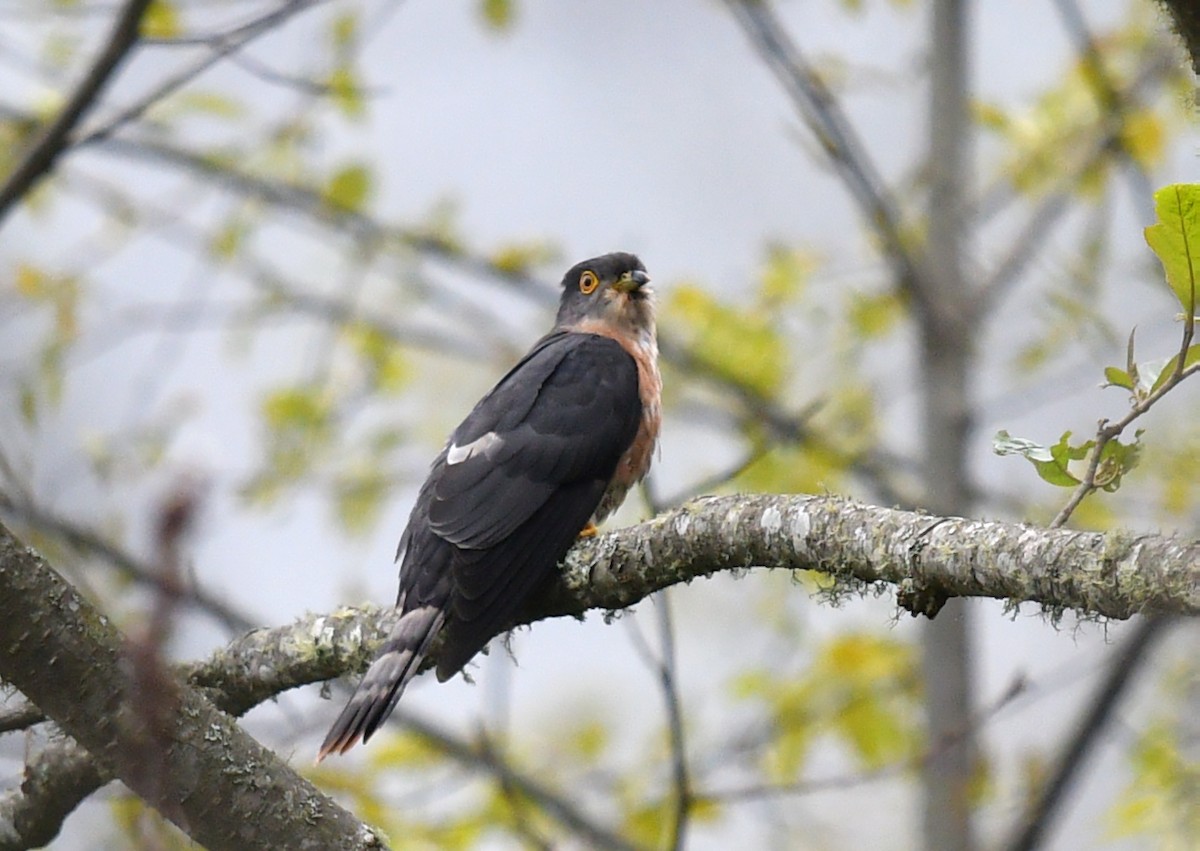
{"x": 293, "y": 243}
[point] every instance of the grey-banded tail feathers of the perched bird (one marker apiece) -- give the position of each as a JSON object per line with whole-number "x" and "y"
{"x": 386, "y": 680}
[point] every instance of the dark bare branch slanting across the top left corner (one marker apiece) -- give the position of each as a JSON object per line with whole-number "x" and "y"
{"x": 52, "y": 141}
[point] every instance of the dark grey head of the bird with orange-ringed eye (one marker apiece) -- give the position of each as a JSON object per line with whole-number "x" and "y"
{"x": 611, "y": 291}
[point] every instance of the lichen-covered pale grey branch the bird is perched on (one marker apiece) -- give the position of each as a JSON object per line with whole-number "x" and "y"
{"x": 1114, "y": 576}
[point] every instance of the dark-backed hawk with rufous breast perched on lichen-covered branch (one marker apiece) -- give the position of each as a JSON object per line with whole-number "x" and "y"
{"x": 541, "y": 460}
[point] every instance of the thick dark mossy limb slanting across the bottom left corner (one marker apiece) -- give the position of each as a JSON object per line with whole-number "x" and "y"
{"x": 218, "y": 784}
